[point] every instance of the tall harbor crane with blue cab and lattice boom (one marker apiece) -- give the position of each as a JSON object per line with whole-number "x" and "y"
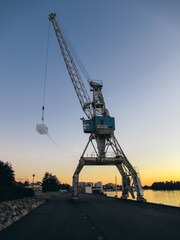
{"x": 100, "y": 125}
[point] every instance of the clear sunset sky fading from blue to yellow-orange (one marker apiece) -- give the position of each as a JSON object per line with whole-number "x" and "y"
{"x": 133, "y": 46}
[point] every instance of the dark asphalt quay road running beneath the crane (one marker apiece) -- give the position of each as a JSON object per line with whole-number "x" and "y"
{"x": 94, "y": 217}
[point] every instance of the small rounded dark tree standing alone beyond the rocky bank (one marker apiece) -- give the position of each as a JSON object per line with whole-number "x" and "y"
{"x": 50, "y": 183}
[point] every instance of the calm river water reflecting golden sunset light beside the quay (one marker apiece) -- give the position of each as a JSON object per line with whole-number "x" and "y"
{"x": 171, "y": 198}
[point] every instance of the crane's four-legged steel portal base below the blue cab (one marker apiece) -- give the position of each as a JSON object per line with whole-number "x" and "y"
{"x": 130, "y": 180}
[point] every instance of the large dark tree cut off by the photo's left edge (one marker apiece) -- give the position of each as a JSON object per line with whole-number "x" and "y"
{"x": 6, "y": 174}
